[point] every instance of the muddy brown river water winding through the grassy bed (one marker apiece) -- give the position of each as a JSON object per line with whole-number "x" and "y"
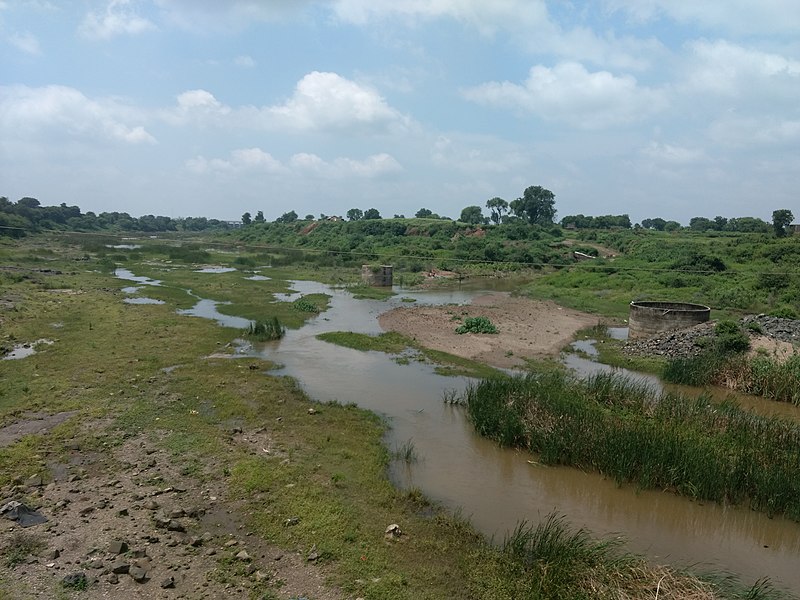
{"x": 497, "y": 487}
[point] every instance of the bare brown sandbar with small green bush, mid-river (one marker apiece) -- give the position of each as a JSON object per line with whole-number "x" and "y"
{"x": 527, "y": 328}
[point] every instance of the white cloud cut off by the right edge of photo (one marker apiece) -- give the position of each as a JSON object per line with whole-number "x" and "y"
{"x": 725, "y": 68}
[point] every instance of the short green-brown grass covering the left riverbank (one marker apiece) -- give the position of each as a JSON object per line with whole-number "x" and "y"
{"x": 330, "y": 470}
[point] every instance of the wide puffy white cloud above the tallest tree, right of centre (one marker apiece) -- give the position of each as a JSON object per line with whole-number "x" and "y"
{"x": 570, "y": 93}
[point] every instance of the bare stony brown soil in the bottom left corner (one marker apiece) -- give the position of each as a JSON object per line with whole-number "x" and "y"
{"x": 180, "y": 538}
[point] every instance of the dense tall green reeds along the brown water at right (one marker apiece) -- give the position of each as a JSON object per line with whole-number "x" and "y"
{"x": 717, "y": 452}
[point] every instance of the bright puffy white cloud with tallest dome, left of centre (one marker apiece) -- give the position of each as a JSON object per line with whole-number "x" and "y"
{"x": 321, "y": 101}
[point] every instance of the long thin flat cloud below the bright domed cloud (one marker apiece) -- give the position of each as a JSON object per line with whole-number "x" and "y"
{"x": 255, "y": 160}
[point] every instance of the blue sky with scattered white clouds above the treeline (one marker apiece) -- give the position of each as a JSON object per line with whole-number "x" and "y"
{"x": 654, "y": 108}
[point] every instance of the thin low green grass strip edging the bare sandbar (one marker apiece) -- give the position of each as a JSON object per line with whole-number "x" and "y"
{"x": 397, "y": 344}
